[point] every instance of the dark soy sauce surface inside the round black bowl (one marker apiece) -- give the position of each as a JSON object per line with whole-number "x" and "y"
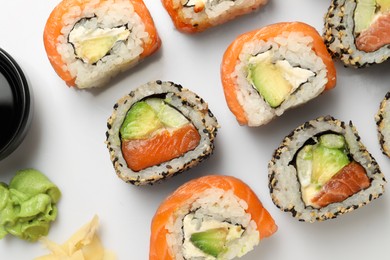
{"x": 8, "y": 112}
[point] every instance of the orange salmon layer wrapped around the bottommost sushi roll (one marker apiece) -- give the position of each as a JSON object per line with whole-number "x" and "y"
{"x": 158, "y": 243}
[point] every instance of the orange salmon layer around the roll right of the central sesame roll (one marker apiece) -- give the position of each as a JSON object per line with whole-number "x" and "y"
{"x": 232, "y": 53}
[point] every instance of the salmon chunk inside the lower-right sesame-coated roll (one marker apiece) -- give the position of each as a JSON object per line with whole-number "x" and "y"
{"x": 348, "y": 181}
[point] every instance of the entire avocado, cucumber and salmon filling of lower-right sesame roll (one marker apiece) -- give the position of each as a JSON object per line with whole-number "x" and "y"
{"x": 322, "y": 159}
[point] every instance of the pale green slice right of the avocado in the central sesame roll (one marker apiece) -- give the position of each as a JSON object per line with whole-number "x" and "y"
{"x": 168, "y": 115}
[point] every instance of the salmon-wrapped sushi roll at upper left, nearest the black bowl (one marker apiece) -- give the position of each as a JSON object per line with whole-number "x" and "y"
{"x": 90, "y": 41}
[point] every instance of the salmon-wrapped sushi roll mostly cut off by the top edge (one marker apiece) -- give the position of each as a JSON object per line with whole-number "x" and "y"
{"x": 192, "y": 16}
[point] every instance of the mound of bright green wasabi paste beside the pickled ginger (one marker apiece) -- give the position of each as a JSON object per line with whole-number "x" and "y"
{"x": 28, "y": 205}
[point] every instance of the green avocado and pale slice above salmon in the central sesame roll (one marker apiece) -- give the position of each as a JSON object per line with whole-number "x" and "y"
{"x": 148, "y": 116}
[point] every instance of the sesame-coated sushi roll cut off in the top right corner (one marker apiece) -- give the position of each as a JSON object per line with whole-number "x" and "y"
{"x": 358, "y": 31}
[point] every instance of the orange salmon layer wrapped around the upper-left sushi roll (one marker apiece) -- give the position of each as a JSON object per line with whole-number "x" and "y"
{"x": 57, "y": 21}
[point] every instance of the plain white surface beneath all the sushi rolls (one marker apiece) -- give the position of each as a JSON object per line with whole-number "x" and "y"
{"x": 66, "y": 140}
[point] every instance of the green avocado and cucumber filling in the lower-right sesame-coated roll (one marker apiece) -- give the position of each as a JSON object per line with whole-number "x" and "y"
{"x": 317, "y": 163}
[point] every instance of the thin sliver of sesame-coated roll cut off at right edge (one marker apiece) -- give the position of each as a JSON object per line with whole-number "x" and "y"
{"x": 382, "y": 119}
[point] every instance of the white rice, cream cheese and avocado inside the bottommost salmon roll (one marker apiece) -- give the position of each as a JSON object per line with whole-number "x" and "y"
{"x": 214, "y": 225}
